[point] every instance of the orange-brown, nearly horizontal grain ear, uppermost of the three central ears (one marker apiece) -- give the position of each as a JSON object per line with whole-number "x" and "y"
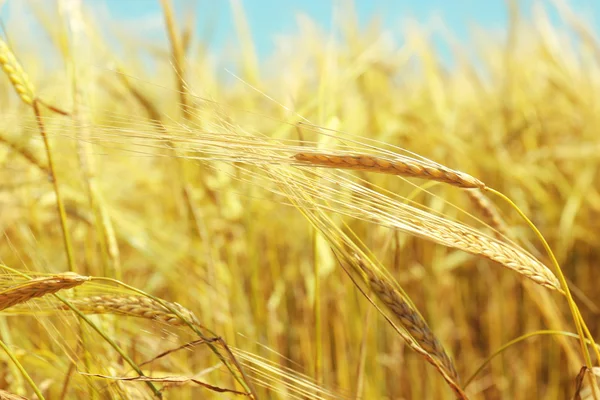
{"x": 403, "y": 166}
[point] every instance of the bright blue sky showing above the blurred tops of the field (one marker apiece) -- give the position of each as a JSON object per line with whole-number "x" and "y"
{"x": 141, "y": 20}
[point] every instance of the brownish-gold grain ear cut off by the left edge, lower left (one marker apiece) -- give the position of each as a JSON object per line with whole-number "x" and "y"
{"x": 39, "y": 287}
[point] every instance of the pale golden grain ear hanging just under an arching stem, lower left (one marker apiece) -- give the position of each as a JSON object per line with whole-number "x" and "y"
{"x": 134, "y": 306}
